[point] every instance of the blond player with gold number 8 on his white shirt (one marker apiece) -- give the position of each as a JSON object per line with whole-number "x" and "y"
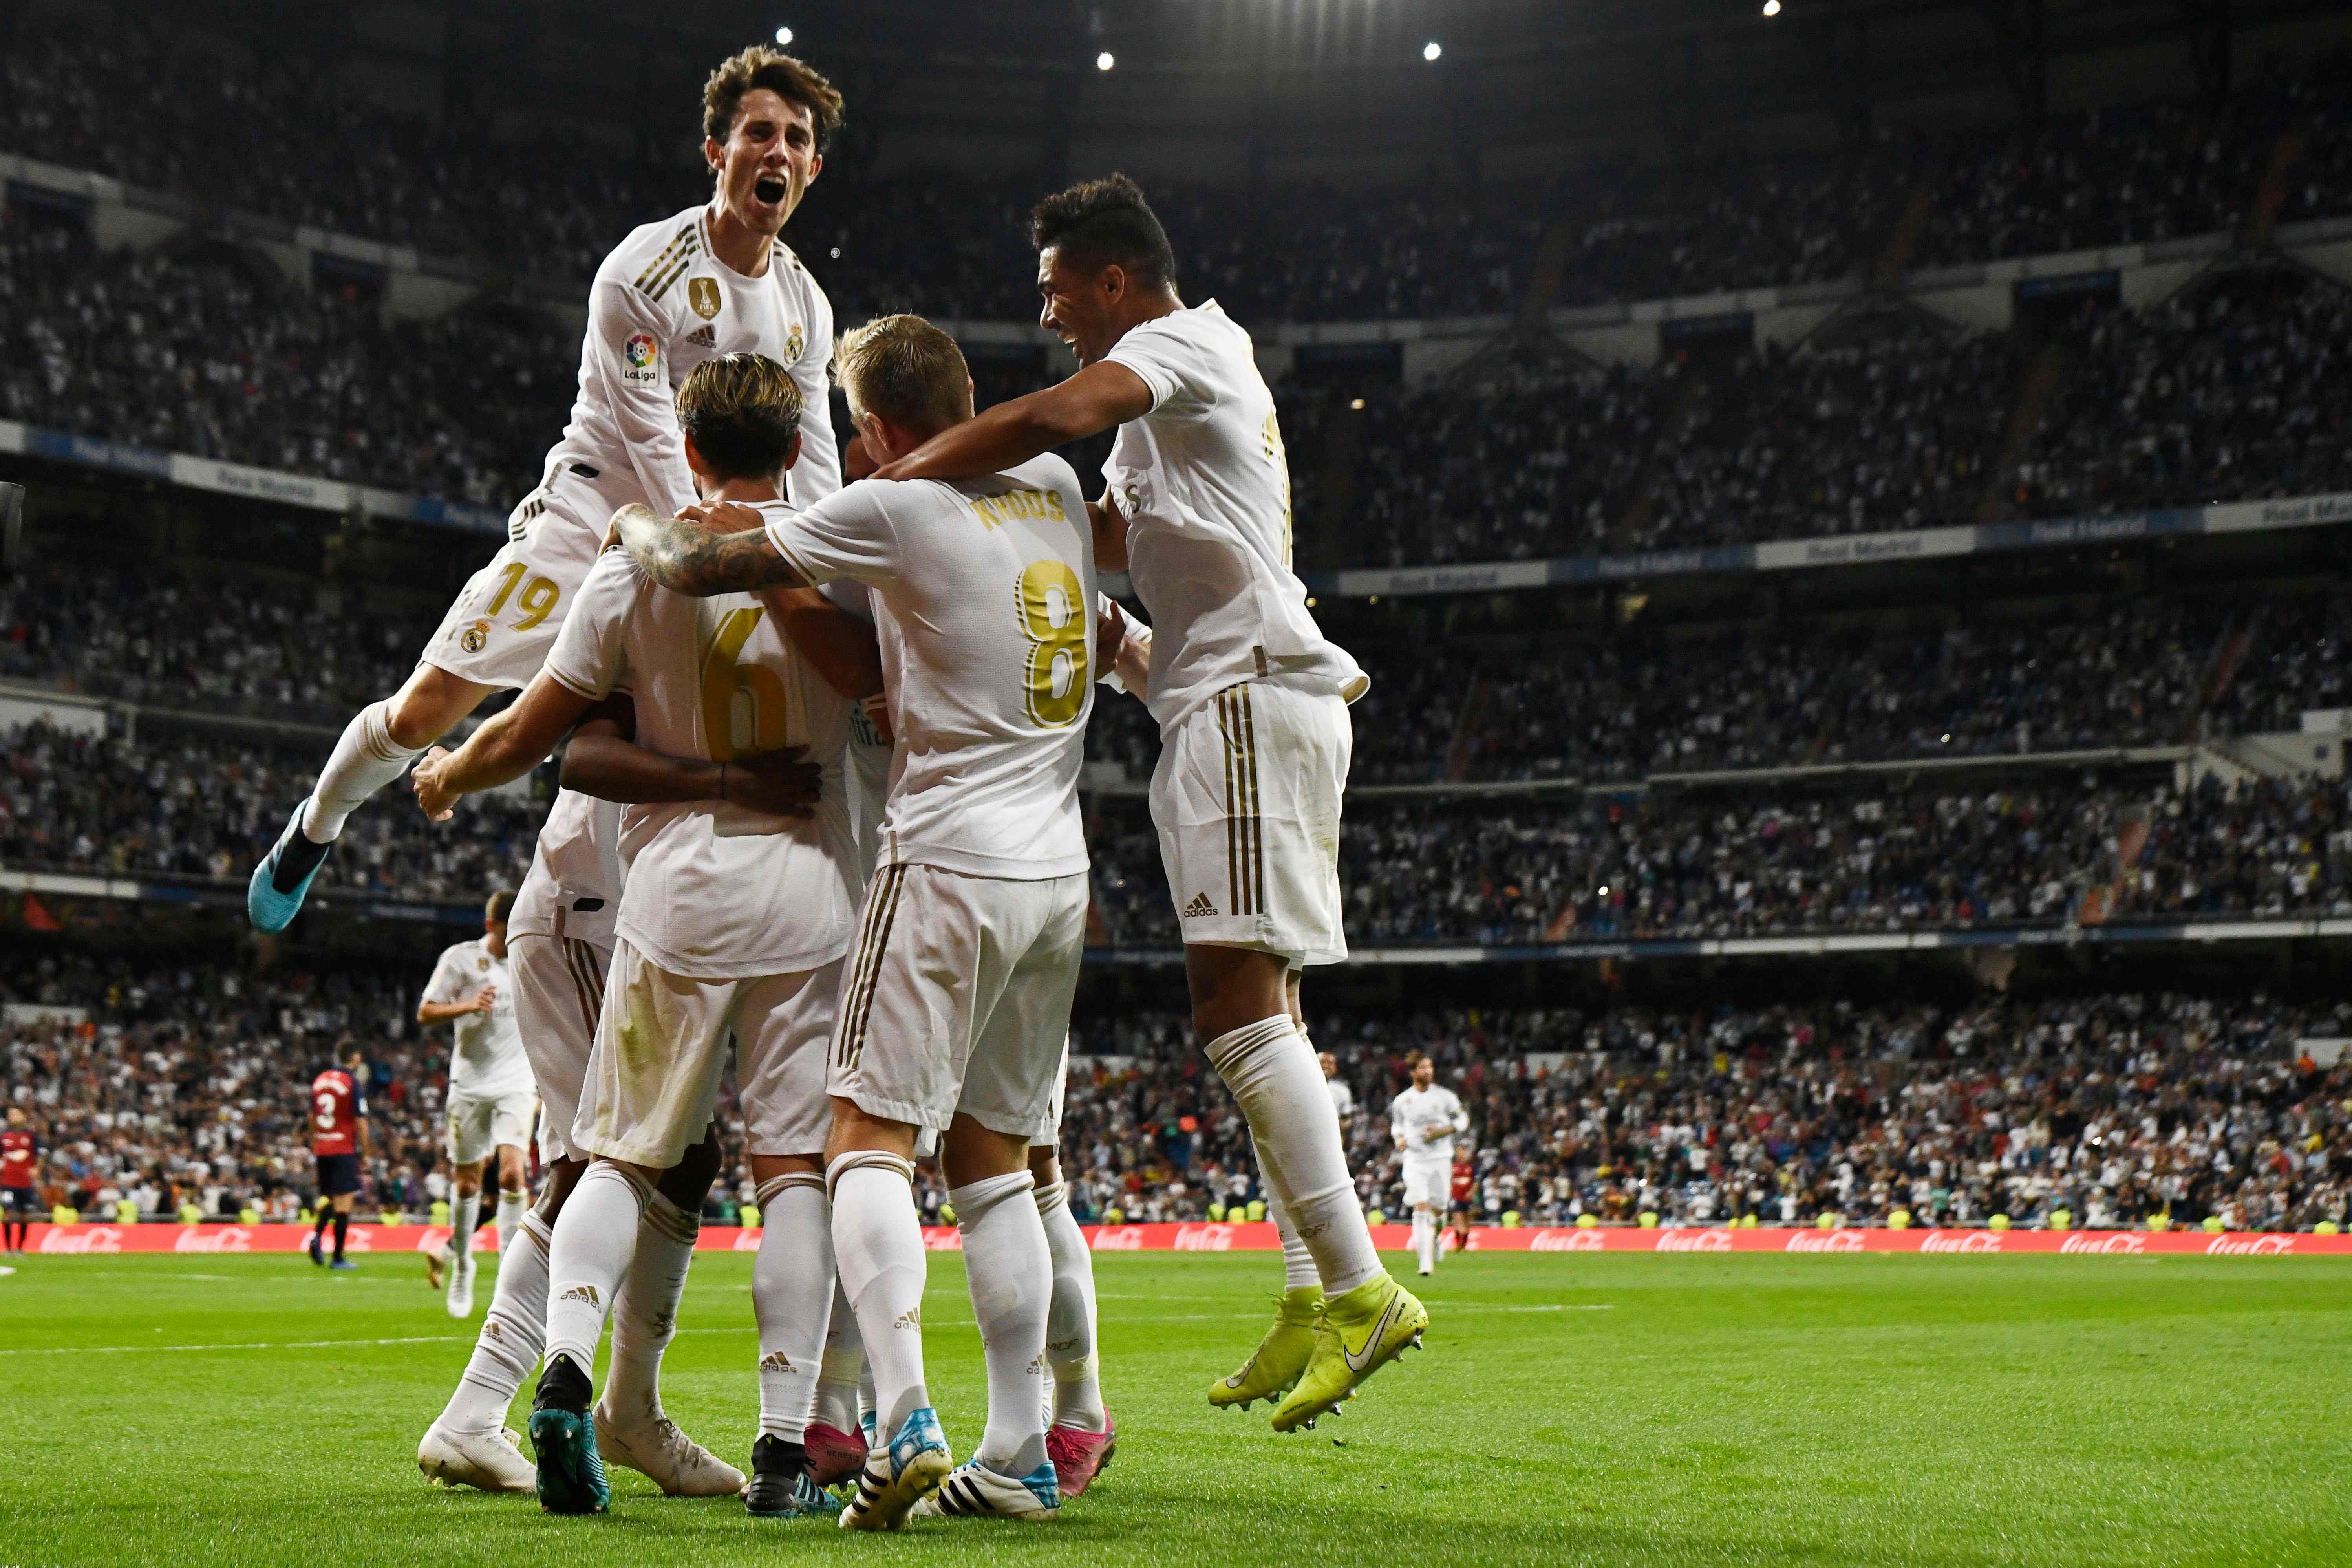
{"x": 956, "y": 1000}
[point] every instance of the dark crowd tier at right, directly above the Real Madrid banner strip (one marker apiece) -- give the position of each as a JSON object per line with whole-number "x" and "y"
{"x": 2229, "y": 394}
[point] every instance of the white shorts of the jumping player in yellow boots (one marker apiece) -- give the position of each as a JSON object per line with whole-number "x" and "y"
{"x": 1248, "y": 800}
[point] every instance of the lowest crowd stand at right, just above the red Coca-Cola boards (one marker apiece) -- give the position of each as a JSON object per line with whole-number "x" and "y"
{"x": 2106, "y": 1108}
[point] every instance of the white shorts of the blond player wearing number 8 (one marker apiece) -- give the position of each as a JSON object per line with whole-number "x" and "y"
{"x": 958, "y": 998}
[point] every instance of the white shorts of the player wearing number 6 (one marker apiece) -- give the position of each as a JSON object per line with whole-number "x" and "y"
{"x": 662, "y": 1050}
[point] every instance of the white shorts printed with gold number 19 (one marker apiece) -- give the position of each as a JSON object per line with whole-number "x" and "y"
{"x": 505, "y": 622}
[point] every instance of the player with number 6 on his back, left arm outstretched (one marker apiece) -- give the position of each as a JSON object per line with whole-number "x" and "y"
{"x": 733, "y": 925}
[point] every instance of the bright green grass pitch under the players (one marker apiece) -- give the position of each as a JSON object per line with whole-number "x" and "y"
{"x": 1572, "y": 1409}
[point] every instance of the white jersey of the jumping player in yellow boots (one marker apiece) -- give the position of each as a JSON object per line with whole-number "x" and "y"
{"x": 1205, "y": 490}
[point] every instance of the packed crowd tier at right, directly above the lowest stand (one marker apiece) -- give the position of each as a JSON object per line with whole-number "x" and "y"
{"x": 1676, "y": 866}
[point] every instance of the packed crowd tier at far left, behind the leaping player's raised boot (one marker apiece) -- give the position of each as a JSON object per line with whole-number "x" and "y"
{"x": 185, "y": 810}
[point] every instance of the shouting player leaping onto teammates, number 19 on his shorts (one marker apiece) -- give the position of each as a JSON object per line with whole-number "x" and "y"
{"x": 676, "y": 293}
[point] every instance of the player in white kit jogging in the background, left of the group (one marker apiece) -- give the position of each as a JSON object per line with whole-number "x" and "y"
{"x": 490, "y": 1090}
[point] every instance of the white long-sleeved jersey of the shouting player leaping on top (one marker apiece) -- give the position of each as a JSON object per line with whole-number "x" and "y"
{"x": 660, "y": 307}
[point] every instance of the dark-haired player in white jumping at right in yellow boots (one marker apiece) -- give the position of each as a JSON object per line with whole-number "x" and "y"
{"x": 1252, "y": 706}
